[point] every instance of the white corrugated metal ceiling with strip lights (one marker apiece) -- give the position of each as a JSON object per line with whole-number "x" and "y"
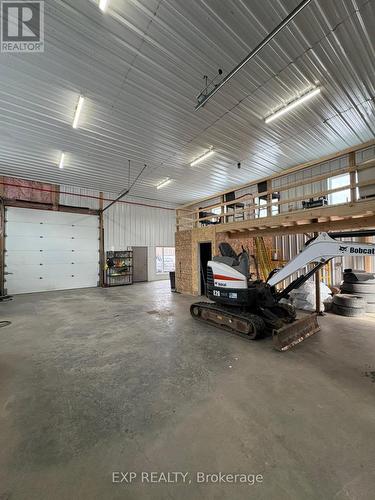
{"x": 140, "y": 66}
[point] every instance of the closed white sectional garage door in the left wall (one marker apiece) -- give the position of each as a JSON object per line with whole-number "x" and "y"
{"x": 48, "y": 250}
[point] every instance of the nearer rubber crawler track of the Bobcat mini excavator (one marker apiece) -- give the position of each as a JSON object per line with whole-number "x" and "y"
{"x": 250, "y": 326}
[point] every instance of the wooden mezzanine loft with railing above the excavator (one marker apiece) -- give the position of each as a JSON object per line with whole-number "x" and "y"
{"x": 358, "y": 212}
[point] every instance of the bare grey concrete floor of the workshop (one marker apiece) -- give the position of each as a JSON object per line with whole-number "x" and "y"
{"x": 96, "y": 381}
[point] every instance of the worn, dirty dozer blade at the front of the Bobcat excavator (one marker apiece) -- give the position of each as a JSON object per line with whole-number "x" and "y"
{"x": 296, "y": 332}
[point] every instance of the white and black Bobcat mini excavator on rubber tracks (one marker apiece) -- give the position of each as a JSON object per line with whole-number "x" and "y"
{"x": 253, "y": 308}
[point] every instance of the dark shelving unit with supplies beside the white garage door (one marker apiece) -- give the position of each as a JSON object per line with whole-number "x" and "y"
{"x": 119, "y": 268}
